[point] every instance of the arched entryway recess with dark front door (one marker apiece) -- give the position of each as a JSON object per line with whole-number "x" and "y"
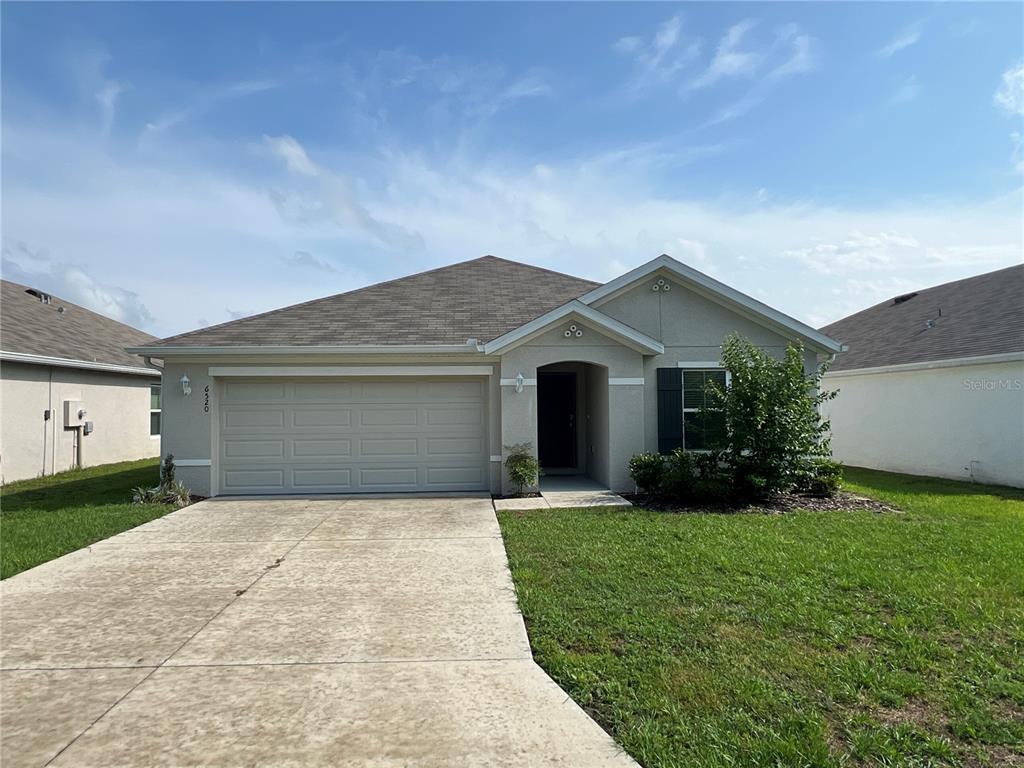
{"x": 573, "y": 422}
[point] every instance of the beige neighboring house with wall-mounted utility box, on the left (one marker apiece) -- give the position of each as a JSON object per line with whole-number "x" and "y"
{"x": 70, "y": 394}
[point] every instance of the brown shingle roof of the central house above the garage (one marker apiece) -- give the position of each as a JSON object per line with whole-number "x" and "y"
{"x": 480, "y": 300}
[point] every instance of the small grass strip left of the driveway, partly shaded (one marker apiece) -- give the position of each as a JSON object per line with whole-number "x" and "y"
{"x": 51, "y": 517}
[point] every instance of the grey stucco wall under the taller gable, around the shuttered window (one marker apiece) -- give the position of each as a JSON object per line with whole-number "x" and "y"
{"x": 693, "y": 329}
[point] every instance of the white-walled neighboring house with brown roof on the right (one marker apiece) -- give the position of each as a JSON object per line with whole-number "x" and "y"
{"x": 933, "y": 382}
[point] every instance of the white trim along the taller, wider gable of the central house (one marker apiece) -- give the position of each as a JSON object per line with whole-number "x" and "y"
{"x": 717, "y": 291}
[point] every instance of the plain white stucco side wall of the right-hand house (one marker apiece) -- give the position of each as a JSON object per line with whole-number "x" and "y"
{"x": 965, "y": 422}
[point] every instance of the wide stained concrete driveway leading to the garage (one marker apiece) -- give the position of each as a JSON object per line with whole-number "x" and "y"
{"x": 352, "y": 632}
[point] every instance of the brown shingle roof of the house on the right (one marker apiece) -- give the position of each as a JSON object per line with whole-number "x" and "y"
{"x": 971, "y": 318}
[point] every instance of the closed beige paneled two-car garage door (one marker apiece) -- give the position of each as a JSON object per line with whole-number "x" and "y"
{"x": 351, "y": 436}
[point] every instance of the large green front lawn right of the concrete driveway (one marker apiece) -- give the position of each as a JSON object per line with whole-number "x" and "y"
{"x": 798, "y": 639}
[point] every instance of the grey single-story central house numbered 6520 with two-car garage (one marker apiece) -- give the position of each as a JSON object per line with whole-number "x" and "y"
{"x": 420, "y": 385}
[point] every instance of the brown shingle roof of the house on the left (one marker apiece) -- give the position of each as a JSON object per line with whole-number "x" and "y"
{"x": 34, "y": 325}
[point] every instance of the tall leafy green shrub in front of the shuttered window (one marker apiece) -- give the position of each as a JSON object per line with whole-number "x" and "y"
{"x": 773, "y": 417}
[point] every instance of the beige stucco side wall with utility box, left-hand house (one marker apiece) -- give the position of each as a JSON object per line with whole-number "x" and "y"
{"x": 118, "y": 405}
